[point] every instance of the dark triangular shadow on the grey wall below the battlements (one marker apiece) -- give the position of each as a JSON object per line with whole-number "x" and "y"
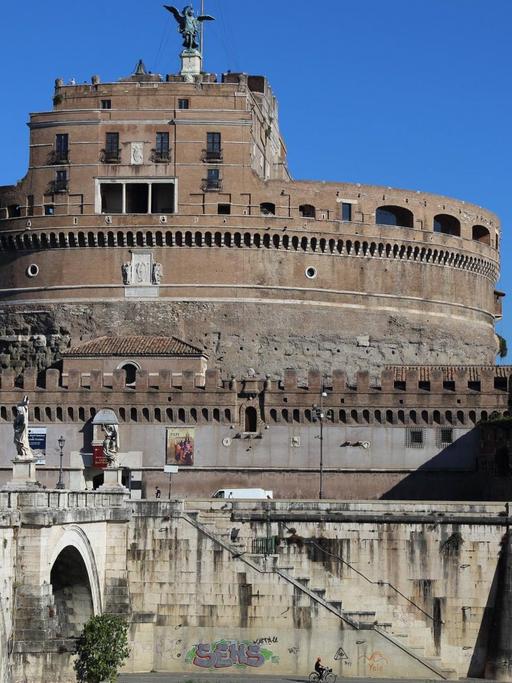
{"x": 450, "y": 475}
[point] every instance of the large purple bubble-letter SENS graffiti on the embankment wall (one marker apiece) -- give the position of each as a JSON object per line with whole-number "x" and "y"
{"x": 222, "y": 654}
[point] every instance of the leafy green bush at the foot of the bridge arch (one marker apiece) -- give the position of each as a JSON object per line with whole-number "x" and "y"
{"x": 101, "y": 649}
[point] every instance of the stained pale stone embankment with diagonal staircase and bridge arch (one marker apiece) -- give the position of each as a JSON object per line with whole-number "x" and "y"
{"x": 378, "y": 589}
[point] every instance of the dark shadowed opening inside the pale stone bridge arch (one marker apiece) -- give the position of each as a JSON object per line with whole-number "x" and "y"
{"x": 71, "y": 593}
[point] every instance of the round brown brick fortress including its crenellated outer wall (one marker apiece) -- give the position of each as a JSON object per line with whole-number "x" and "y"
{"x": 164, "y": 207}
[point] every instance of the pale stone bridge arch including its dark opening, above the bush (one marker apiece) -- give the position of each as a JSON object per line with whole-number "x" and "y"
{"x": 74, "y": 578}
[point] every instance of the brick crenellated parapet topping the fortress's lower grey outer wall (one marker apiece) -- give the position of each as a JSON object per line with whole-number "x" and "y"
{"x": 425, "y": 395}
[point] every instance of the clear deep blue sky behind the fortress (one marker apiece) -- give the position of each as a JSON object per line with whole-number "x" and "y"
{"x": 406, "y": 93}
